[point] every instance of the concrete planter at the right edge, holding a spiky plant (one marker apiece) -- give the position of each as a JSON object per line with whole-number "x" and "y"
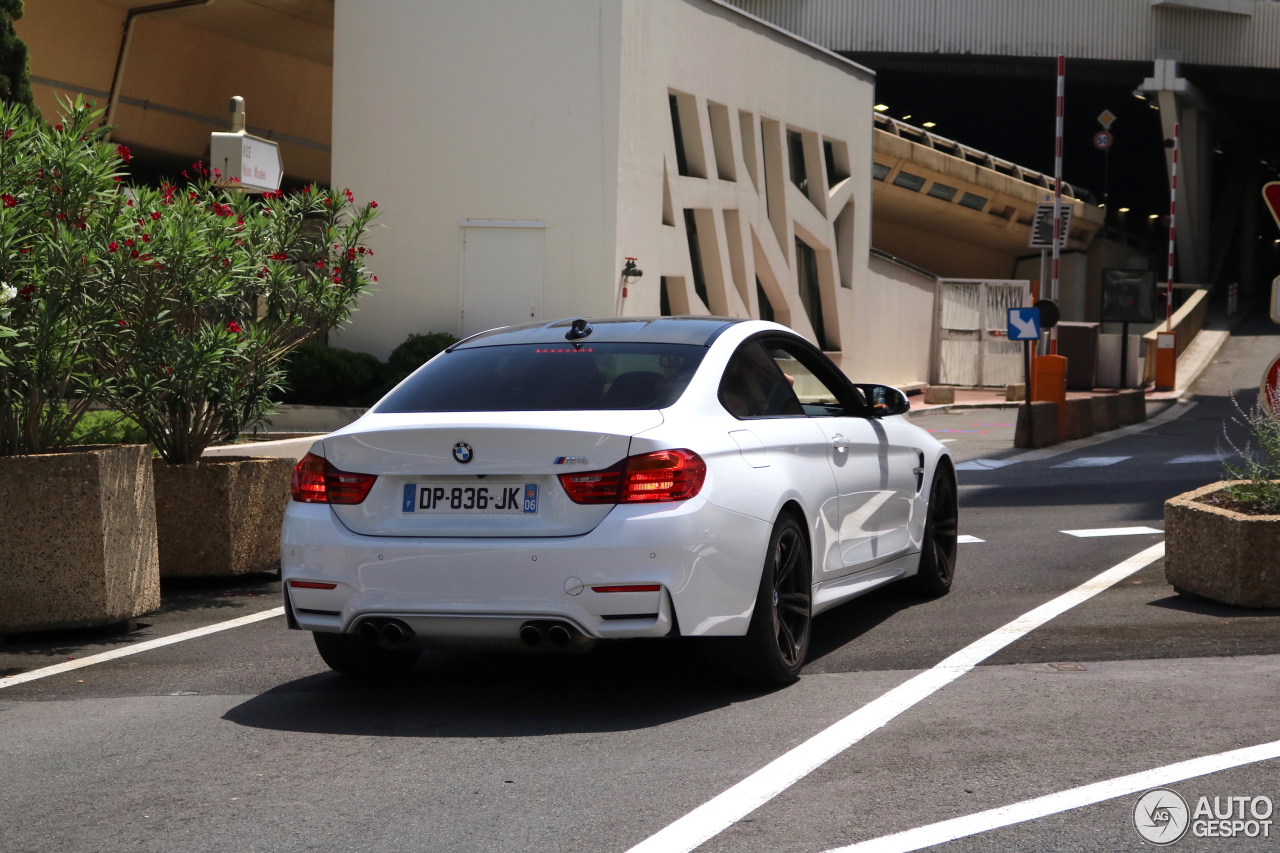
{"x": 1222, "y": 555}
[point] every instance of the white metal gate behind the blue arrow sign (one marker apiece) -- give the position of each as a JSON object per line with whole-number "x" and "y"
{"x": 972, "y": 325}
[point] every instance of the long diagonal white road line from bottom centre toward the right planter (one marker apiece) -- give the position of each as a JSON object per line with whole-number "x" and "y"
{"x": 725, "y": 810}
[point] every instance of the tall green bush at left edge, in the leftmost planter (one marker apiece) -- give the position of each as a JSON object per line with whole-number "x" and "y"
{"x": 61, "y": 208}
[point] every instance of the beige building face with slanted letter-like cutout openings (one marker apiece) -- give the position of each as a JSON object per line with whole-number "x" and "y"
{"x": 742, "y": 88}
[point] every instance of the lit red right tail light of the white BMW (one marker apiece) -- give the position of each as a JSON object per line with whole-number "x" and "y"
{"x": 650, "y": 478}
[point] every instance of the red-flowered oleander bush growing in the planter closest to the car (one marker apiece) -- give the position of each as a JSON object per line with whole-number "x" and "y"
{"x": 218, "y": 288}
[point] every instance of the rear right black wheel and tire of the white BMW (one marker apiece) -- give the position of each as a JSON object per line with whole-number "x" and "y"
{"x": 778, "y": 641}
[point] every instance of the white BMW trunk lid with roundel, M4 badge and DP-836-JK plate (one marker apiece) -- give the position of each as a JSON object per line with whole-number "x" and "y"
{"x": 508, "y": 486}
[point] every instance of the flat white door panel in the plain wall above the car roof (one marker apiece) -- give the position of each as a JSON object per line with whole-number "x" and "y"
{"x": 502, "y": 276}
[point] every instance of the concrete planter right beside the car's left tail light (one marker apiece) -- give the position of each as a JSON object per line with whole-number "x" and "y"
{"x": 222, "y": 517}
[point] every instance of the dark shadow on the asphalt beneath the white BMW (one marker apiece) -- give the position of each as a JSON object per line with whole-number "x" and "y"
{"x": 619, "y": 687}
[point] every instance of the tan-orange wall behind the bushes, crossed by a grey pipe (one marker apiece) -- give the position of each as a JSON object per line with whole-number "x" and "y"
{"x": 185, "y": 66}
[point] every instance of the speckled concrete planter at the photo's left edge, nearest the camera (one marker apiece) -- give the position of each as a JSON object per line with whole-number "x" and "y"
{"x": 79, "y": 542}
